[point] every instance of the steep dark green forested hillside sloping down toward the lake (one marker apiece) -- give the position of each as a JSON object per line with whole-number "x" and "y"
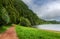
{"x": 17, "y": 12}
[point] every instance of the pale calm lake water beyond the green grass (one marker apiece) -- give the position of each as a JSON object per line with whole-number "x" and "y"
{"x": 55, "y": 27}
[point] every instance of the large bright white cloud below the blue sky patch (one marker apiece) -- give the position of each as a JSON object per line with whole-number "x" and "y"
{"x": 49, "y": 11}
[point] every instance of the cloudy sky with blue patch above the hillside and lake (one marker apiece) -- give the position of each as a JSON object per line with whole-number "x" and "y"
{"x": 45, "y": 9}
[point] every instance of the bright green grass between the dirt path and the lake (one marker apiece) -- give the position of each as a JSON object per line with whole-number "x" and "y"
{"x": 31, "y": 33}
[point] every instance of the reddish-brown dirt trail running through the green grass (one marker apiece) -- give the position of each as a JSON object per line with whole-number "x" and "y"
{"x": 9, "y": 34}
